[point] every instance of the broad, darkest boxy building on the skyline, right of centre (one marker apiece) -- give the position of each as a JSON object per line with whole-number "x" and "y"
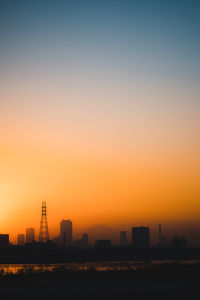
{"x": 140, "y": 237}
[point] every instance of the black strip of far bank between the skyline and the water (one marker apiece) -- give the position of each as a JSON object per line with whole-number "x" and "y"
{"x": 40, "y": 254}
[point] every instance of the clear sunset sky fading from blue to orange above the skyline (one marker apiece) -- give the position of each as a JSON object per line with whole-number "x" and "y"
{"x": 99, "y": 113}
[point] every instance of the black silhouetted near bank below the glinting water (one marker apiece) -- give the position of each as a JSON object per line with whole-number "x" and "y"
{"x": 163, "y": 282}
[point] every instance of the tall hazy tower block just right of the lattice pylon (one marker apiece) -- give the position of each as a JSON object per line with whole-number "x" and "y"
{"x": 66, "y": 233}
